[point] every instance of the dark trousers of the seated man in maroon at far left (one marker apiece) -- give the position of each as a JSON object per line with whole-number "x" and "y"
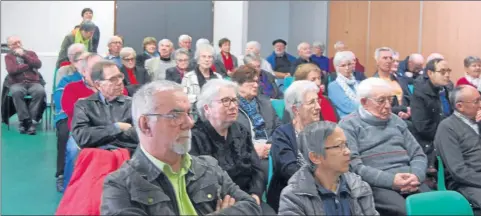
{"x": 19, "y": 91}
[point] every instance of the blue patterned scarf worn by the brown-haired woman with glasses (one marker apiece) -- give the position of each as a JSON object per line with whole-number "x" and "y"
{"x": 257, "y": 121}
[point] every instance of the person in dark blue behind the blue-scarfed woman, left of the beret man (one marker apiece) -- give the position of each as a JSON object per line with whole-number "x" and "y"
{"x": 267, "y": 81}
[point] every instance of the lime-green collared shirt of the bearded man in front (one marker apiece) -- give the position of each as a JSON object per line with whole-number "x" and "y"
{"x": 177, "y": 180}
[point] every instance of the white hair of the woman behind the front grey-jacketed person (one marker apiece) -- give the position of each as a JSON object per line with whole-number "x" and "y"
{"x": 294, "y": 94}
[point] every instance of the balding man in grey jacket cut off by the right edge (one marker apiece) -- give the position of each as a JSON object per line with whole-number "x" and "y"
{"x": 458, "y": 143}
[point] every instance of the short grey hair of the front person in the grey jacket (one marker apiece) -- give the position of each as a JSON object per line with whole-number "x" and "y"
{"x": 313, "y": 137}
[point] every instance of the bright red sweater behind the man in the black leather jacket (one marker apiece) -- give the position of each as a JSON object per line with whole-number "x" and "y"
{"x": 71, "y": 94}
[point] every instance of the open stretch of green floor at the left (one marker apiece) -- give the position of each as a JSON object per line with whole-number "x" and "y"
{"x": 28, "y": 166}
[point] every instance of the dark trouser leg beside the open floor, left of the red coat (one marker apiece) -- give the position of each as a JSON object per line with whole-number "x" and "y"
{"x": 62, "y": 138}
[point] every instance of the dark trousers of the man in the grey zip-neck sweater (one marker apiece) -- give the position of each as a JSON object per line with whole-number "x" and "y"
{"x": 389, "y": 202}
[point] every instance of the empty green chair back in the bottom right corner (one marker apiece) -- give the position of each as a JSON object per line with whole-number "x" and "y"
{"x": 438, "y": 203}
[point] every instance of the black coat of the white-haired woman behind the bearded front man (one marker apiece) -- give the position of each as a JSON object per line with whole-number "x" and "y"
{"x": 236, "y": 154}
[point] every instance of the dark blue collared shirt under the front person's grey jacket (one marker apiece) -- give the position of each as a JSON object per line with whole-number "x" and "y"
{"x": 338, "y": 202}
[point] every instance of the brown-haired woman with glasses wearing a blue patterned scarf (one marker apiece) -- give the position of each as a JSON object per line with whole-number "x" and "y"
{"x": 256, "y": 112}
